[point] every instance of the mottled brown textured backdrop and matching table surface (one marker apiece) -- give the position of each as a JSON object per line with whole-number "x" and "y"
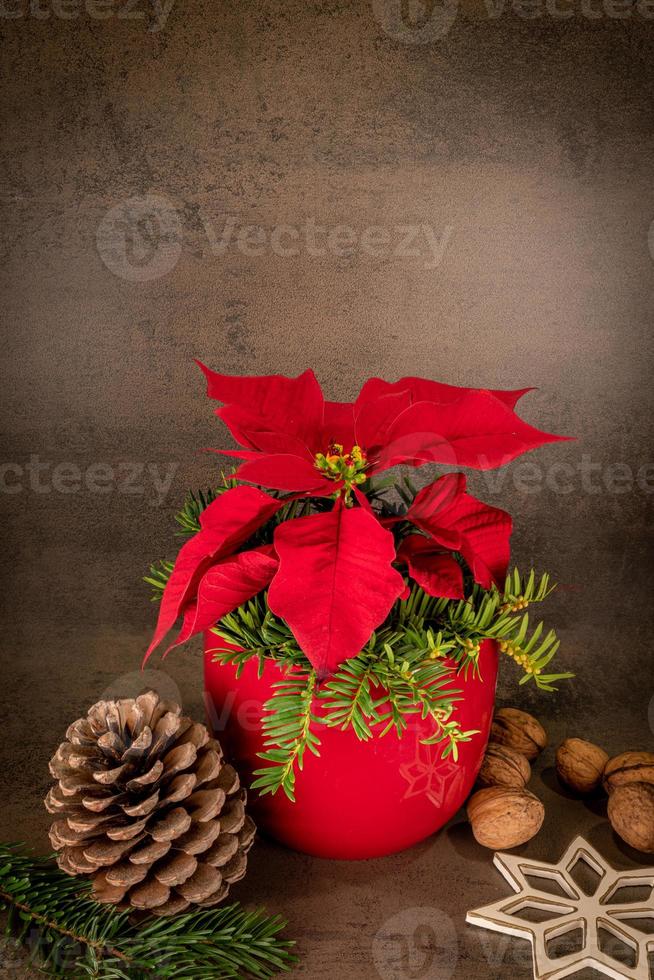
{"x": 530, "y": 139}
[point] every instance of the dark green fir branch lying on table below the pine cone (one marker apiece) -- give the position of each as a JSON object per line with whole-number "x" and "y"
{"x": 69, "y": 934}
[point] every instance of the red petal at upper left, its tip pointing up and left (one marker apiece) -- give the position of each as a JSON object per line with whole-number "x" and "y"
{"x": 292, "y": 405}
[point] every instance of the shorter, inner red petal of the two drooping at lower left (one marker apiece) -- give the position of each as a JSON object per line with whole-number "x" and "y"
{"x": 224, "y": 587}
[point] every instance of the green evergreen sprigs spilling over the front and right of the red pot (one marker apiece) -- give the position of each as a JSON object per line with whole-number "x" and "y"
{"x": 408, "y": 668}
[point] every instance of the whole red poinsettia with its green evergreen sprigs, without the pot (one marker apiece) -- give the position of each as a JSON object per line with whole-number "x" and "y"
{"x": 312, "y": 554}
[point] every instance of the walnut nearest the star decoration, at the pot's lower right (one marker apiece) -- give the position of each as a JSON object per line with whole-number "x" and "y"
{"x": 502, "y": 817}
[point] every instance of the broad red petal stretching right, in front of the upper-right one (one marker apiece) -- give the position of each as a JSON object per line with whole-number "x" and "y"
{"x": 478, "y": 430}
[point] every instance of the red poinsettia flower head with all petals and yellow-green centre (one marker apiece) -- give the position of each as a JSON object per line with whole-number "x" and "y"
{"x": 333, "y": 576}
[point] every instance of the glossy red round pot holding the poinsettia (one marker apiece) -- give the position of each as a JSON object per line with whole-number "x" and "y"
{"x": 358, "y": 799}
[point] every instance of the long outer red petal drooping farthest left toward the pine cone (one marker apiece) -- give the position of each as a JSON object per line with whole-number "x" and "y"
{"x": 225, "y": 524}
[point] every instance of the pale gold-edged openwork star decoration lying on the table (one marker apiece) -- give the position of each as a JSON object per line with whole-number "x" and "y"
{"x": 572, "y": 910}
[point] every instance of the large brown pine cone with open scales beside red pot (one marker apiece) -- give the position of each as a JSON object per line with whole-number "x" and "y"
{"x": 147, "y": 808}
